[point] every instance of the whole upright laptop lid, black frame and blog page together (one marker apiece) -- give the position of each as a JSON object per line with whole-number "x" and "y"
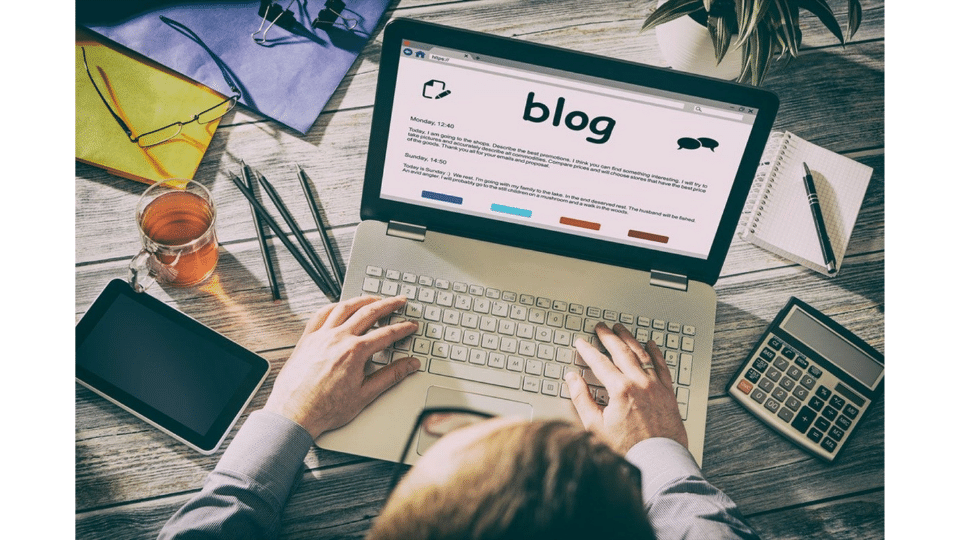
{"x": 549, "y": 149}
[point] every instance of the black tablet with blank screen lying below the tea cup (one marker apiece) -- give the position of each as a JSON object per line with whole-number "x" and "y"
{"x": 165, "y": 367}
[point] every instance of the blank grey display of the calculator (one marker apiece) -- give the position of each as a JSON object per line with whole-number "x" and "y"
{"x": 831, "y": 346}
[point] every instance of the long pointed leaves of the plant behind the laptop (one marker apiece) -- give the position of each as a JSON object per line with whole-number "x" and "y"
{"x": 759, "y": 28}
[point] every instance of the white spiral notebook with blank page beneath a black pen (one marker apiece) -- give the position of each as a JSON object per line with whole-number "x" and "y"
{"x": 777, "y": 215}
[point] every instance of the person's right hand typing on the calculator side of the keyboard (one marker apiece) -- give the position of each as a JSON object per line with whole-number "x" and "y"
{"x": 642, "y": 402}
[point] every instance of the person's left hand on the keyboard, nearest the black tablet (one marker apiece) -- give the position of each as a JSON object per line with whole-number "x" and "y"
{"x": 322, "y": 386}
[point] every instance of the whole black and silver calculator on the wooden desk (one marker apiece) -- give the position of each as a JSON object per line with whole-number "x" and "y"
{"x": 810, "y": 379}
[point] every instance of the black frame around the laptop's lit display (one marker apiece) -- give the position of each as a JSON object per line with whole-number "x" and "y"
{"x": 703, "y": 270}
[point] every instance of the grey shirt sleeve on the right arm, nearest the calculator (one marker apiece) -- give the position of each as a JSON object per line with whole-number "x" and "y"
{"x": 679, "y": 502}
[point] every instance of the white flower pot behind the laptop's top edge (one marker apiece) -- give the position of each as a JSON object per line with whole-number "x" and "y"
{"x": 687, "y": 46}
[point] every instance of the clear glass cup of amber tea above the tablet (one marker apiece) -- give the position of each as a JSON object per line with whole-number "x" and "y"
{"x": 175, "y": 218}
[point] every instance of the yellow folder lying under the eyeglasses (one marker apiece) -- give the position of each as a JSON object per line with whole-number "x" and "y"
{"x": 147, "y": 96}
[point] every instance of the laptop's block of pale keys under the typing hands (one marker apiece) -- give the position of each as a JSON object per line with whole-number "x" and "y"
{"x": 515, "y": 340}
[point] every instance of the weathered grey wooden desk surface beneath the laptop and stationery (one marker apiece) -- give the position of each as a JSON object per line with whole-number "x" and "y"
{"x": 130, "y": 478}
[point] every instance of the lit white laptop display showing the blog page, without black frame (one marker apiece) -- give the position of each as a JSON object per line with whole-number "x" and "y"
{"x": 516, "y": 142}
